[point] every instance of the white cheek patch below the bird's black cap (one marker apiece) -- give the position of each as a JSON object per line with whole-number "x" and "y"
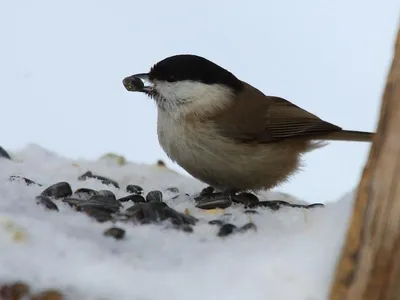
{"x": 188, "y": 96}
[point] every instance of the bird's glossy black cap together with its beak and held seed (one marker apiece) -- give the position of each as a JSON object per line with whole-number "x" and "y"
{"x": 184, "y": 67}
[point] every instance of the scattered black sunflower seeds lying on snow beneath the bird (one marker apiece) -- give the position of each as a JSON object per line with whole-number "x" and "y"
{"x": 146, "y": 208}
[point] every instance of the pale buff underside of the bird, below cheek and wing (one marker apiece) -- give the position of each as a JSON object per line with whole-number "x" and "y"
{"x": 224, "y": 164}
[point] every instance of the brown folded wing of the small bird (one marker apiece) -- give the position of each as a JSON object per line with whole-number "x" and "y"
{"x": 254, "y": 117}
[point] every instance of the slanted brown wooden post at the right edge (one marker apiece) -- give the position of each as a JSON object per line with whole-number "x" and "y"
{"x": 369, "y": 267}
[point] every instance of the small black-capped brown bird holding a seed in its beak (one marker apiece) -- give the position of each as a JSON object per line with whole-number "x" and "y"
{"x": 225, "y": 132}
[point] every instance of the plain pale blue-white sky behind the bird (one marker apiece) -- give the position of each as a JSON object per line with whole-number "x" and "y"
{"x": 62, "y": 65}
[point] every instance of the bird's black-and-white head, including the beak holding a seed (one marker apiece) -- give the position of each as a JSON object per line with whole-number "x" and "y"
{"x": 186, "y": 83}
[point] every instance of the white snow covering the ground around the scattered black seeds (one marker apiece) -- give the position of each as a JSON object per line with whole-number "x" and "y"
{"x": 292, "y": 255}
